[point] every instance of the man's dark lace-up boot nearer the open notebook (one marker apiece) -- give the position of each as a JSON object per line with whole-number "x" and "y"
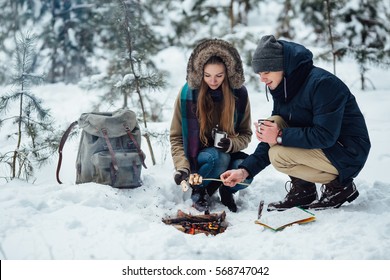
{"x": 301, "y": 193}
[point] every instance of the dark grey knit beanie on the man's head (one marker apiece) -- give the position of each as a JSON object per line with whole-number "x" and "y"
{"x": 268, "y": 56}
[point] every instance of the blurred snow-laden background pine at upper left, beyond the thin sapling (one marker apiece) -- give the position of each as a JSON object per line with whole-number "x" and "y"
{"x": 68, "y": 39}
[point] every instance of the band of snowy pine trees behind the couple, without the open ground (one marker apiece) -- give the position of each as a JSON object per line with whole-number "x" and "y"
{"x": 112, "y": 45}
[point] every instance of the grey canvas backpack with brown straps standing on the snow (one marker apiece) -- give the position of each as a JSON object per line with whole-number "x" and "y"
{"x": 109, "y": 152}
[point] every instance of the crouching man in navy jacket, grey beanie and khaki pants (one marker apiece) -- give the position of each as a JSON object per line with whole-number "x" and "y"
{"x": 316, "y": 134}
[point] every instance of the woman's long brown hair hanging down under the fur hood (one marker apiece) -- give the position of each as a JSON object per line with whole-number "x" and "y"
{"x": 206, "y": 106}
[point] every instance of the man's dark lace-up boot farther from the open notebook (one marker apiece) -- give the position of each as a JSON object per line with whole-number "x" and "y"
{"x": 334, "y": 194}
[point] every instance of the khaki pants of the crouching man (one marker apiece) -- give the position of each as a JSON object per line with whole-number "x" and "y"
{"x": 307, "y": 164}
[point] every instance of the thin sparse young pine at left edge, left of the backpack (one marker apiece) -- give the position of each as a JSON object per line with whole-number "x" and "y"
{"x": 34, "y": 135}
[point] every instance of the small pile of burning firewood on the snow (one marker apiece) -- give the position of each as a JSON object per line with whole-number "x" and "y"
{"x": 208, "y": 223}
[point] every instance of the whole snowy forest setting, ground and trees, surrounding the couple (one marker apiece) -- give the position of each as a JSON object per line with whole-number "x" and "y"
{"x": 61, "y": 58}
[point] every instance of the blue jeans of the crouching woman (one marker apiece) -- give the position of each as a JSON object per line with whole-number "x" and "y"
{"x": 213, "y": 162}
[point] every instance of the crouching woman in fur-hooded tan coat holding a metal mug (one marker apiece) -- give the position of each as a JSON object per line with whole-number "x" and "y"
{"x": 213, "y": 98}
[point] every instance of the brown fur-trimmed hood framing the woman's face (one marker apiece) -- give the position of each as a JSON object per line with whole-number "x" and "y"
{"x": 215, "y": 47}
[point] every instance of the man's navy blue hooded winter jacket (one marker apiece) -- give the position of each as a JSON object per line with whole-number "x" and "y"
{"x": 321, "y": 113}
